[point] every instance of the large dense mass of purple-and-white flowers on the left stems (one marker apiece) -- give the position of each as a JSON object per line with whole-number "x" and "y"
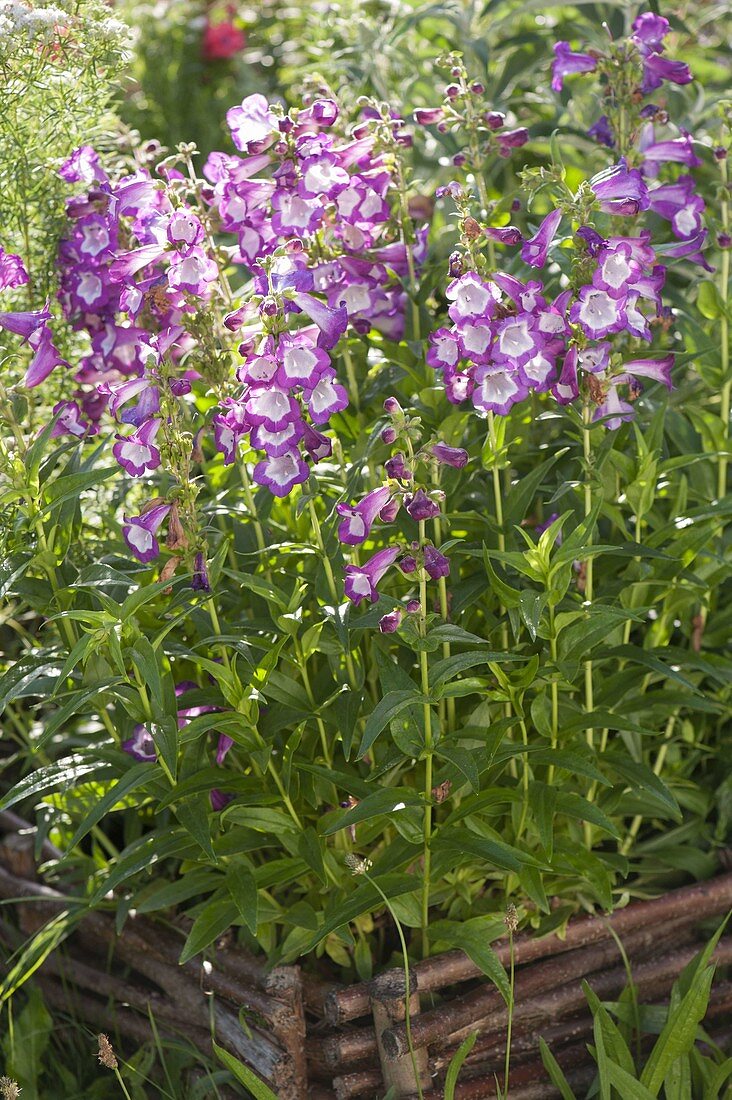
{"x": 313, "y": 223}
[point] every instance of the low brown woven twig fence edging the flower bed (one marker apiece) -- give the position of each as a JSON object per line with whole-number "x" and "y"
{"x": 310, "y": 1039}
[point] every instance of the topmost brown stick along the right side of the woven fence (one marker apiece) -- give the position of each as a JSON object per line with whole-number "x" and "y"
{"x": 689, "y": 906}
